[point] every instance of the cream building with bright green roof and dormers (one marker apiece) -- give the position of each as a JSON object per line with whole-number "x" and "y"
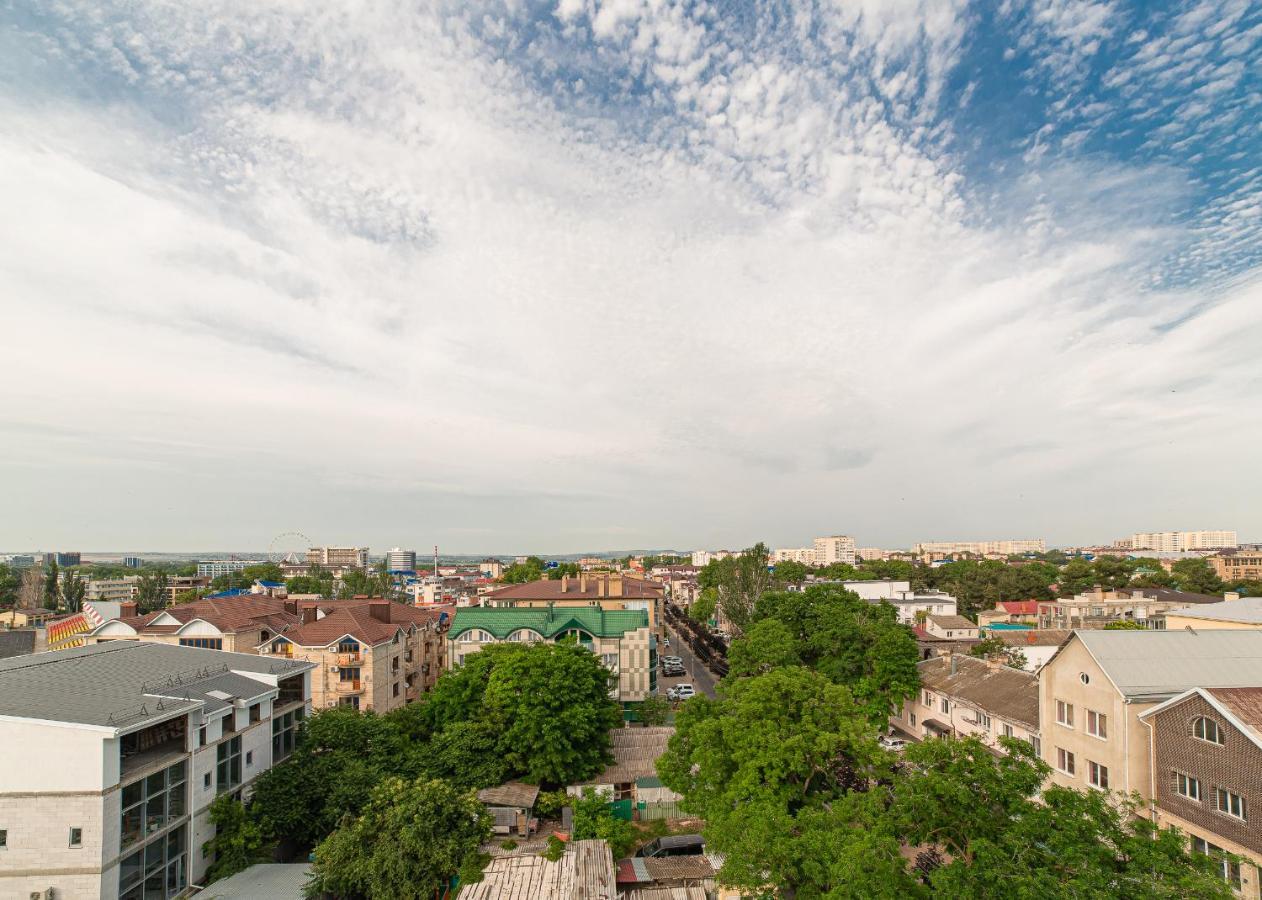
{"x": 622, "y": 638}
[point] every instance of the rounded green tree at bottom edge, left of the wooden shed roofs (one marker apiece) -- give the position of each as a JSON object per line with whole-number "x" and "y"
{"x": 410, "y": 843}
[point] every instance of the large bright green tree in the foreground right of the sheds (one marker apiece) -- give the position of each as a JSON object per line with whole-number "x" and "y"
{"x": 781, "y": 768}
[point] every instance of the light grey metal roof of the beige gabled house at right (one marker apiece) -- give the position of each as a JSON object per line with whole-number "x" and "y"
{"x": 1159, "y": 665}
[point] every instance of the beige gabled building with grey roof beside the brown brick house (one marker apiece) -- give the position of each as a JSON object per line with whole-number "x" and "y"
{"x": 1099, "y": 684}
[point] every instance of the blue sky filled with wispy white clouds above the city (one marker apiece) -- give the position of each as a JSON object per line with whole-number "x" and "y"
{"x": 625, "y": 275}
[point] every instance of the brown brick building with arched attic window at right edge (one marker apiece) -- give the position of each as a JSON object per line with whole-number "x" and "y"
{"x": 1207, "y": 774}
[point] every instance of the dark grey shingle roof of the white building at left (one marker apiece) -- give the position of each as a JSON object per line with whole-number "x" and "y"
{"x": 126, "y": 684}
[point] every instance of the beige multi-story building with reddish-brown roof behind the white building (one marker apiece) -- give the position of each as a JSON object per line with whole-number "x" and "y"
{"x": 372, "y": 654}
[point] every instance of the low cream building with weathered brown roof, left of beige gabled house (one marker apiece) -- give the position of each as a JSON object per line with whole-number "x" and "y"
{"x": 969, "y": 697}
